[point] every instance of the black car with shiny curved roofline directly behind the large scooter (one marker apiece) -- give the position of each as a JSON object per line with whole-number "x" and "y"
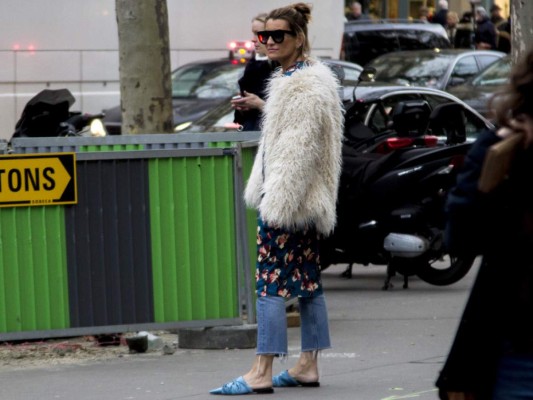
{"x": 369, "y": 113}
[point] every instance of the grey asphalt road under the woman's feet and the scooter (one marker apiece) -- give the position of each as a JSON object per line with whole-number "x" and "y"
{"x": 387, "y": 345}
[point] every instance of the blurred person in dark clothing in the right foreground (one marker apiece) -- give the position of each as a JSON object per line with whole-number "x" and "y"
{"x": 492, "y": 353}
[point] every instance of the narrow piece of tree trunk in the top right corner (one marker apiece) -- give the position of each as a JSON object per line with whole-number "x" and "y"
{"x": 521, "y": 27}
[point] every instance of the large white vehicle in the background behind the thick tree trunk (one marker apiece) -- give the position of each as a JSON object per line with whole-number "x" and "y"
{"x": 73, "y": 44}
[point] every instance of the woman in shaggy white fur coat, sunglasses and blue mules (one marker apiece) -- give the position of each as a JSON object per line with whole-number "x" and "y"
{"x": 293, "y": 185}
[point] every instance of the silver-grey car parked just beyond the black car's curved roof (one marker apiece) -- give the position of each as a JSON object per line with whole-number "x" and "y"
{"x": 436, "y": 68}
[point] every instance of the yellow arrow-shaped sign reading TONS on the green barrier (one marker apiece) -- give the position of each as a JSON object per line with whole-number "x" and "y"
{"x": 38, "y": 179}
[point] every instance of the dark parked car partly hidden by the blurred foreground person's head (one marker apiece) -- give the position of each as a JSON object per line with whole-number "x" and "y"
{"x": 477, "y": 91}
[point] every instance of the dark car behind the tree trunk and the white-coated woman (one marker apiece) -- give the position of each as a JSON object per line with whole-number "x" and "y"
{"x": 198, "y": 87}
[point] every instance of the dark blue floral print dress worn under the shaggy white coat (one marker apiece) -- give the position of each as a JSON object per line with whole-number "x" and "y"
{"x": 288, "y": 262}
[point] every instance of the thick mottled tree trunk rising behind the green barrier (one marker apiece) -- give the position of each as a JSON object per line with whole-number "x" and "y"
{"x": 144, "y": 56}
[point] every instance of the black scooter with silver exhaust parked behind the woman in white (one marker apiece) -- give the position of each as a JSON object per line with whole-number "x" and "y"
{"x": 392, "y": 195}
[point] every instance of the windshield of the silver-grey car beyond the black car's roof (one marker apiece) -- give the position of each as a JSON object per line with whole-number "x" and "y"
{"x": 422, "y": 70}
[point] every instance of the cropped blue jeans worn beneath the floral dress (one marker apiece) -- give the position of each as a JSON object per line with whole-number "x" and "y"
{"x": 272, "y": 324}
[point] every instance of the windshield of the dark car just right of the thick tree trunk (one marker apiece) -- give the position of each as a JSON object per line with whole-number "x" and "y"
{"x": 202, "y": 81}
